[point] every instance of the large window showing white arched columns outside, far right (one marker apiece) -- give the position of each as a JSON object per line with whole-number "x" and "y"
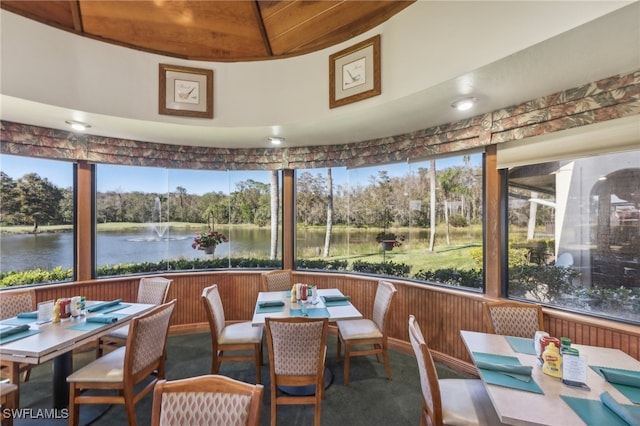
{"x": 574, "y": 234}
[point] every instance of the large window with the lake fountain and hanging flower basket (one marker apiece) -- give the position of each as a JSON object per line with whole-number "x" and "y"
{"x": 148, "y": 219}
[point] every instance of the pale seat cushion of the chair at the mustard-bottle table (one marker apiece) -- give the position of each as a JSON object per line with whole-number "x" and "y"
{"x": 466, "y": 402}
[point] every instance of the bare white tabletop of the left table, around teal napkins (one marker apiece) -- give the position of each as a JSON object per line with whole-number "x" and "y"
{"x": 56, "y": 338}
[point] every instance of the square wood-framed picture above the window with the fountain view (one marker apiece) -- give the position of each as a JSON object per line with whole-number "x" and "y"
{"x": 185, "y": 91}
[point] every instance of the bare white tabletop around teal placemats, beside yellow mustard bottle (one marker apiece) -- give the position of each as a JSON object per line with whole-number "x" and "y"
{"x": 517, "y": 407}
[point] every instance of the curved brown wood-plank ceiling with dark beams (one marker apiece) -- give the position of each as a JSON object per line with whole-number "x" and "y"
{"x": 224, "y": 31}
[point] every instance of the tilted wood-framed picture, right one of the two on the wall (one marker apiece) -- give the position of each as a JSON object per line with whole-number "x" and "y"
{"x": 354, "y": 73}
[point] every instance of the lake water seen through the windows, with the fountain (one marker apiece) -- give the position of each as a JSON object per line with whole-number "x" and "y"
{"x": 47, "y": 250}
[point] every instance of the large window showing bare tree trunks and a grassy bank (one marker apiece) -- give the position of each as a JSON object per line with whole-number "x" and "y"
{"x": 419, "y": 220}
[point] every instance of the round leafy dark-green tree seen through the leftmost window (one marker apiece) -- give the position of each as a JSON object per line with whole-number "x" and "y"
{"x": 39, "y": 199}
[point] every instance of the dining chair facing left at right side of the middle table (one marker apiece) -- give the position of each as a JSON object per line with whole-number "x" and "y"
{"x": 371, "y": 333}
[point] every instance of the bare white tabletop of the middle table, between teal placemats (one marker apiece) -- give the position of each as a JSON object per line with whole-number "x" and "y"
{"x": 336, "y": 313}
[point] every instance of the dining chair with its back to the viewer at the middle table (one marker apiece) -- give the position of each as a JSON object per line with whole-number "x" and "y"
{"x": 297, "y": 354}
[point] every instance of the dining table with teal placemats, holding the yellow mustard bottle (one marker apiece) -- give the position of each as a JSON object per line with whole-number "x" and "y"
{"x": 542, "y": 399}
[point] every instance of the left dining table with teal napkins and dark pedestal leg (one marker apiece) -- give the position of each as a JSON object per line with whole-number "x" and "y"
{"x": 39, "y": 341}
